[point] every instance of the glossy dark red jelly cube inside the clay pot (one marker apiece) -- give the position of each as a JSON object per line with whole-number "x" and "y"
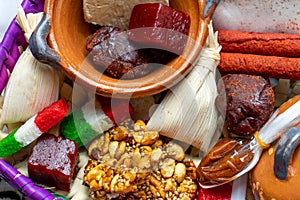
{"x": 159, "y": 25}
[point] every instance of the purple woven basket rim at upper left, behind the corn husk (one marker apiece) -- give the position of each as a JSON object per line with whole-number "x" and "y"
{"x": 13, "y": 38}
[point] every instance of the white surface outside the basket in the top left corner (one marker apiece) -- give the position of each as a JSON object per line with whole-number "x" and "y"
{"x": 8, "y": 10}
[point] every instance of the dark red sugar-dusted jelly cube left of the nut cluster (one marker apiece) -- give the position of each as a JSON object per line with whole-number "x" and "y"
{"x": 53, "y": 162}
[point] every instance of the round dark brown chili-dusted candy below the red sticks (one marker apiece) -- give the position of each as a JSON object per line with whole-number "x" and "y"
{"x": 246, "y": 101}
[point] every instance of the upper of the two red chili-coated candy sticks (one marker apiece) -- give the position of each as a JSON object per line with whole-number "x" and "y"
{"x": 274, "y": 44}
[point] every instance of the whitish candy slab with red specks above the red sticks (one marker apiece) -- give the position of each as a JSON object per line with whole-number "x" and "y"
{"x": 258, "y": 15}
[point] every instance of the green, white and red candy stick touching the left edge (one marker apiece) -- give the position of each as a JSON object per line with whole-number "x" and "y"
{"x": 33, "y": 128}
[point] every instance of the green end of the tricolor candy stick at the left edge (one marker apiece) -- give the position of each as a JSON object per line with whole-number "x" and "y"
{"x": 9, "y": 145}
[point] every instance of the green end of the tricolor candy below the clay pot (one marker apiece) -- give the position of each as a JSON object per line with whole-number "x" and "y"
{"x": 74, "y": 127}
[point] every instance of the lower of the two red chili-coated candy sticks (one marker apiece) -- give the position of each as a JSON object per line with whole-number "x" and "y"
{"x": 268, "y": 66}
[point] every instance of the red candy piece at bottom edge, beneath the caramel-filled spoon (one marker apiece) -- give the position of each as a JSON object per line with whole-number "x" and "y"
{"x": 222, "y": 192}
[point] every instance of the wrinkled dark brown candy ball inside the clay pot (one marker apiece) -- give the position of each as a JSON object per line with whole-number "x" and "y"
{"x": 112, "y": 51}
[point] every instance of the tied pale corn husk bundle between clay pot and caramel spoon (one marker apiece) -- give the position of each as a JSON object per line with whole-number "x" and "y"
{"x": 188, "y": 113}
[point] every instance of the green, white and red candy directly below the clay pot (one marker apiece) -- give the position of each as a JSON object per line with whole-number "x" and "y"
{"x": 94, "y": 118}
